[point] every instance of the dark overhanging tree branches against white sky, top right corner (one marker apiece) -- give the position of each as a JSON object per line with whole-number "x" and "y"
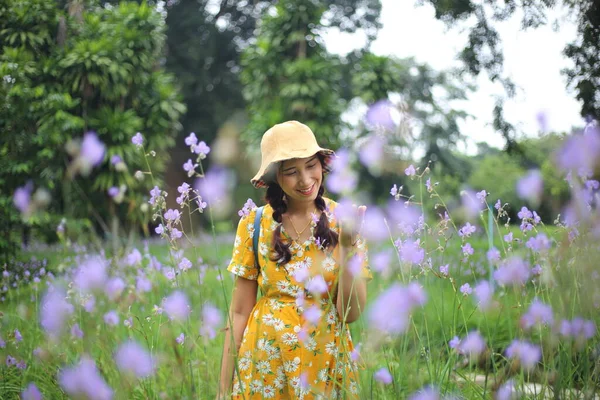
{"x": 483, "y": 49}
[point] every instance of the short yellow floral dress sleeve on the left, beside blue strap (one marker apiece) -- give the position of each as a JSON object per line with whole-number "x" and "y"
{"x": 242, "y": 260}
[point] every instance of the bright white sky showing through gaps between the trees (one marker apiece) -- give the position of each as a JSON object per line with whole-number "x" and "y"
{"x": 533, "y": 59}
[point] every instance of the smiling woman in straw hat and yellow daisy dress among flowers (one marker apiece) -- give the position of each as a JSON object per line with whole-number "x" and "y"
{"x": 293, "y": 342}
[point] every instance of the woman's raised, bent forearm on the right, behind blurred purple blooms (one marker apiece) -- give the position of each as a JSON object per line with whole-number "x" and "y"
{"x": 352, "y": 291}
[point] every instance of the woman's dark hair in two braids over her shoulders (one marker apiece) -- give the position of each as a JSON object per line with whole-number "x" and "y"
{"x": 323, "y": 233}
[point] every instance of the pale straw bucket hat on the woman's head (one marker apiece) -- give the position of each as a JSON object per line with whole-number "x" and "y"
{"x": 285, "y": 141}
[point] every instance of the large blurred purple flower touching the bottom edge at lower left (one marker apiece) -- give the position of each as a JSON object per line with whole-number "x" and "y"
{"x": 85, "y": 381}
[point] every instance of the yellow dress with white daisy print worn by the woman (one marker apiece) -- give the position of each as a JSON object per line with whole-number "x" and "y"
{"x": 282, "y": 354}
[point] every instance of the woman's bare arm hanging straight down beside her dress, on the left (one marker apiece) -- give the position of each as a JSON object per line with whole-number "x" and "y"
{"x": 242, "y": 303}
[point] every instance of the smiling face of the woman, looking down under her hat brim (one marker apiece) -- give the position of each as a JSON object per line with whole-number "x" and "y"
{"x": 301, "y": 178}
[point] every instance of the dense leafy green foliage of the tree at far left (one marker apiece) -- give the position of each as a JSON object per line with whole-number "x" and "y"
{"x": 67, "y": 72}
